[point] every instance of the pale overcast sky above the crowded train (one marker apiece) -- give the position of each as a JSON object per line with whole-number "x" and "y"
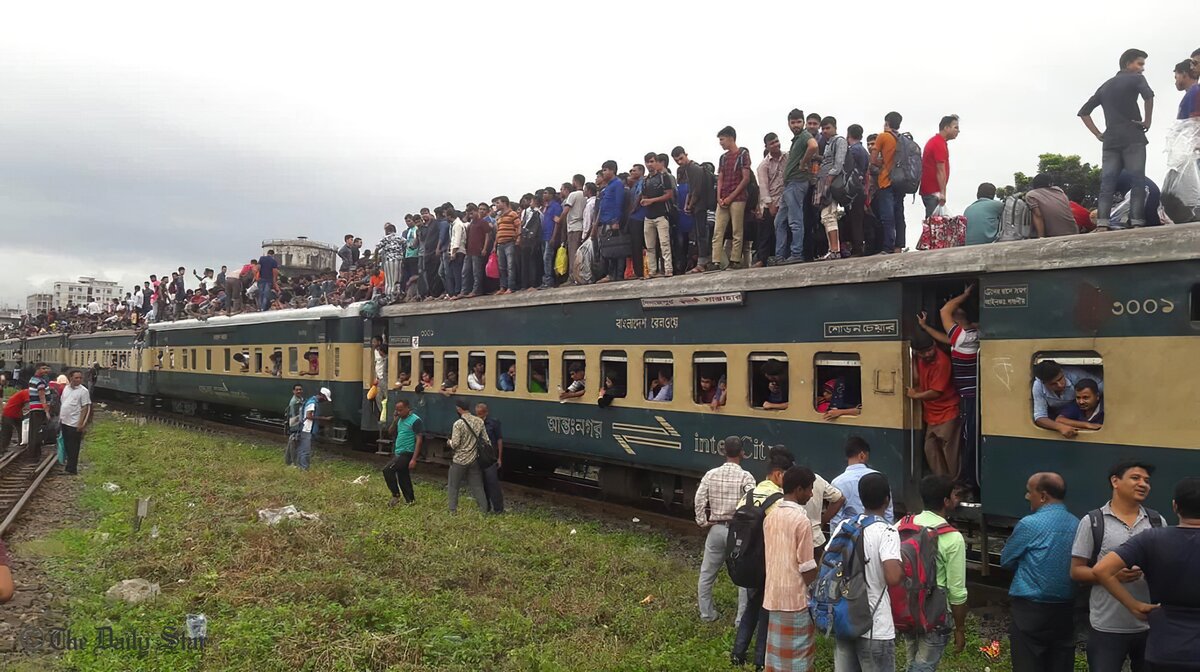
{"x": 140, "y": 137}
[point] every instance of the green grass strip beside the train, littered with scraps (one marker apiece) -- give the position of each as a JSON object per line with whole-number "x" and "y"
{"x": 368, "y": 587}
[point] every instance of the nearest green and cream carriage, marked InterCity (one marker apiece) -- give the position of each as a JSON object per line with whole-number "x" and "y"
{"x": 1124, "y": 304}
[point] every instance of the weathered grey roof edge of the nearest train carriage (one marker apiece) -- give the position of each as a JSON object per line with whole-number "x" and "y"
{"x": 1139, "y": 247}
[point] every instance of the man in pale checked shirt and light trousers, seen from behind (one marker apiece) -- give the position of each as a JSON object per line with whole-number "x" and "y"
{"x": 718, "y": 497}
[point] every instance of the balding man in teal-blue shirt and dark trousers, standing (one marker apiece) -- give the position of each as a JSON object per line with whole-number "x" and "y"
{"x": 1042, "y": 633}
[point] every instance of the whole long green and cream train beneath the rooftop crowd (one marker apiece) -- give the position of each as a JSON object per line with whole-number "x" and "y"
{"x": 1125, "y": 305}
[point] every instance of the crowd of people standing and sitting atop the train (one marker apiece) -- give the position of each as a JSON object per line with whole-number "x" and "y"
{"x": 835, "y": 191}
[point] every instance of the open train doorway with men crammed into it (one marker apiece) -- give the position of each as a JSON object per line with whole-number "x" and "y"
{"x": 950, "y": 307}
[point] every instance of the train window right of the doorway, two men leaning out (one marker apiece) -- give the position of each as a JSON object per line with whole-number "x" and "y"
{"x": 1081, "y": 405}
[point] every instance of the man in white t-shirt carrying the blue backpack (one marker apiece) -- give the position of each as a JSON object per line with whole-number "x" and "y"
{"x": 875, "y": 651}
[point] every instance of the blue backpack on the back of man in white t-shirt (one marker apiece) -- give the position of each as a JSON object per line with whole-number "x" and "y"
{"x": 839, "y": 602}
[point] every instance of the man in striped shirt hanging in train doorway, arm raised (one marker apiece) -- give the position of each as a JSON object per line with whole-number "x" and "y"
{"x": 963, "y": 337}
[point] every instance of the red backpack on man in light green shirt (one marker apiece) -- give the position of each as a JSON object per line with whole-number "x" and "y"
{"x": 919, "y": 603}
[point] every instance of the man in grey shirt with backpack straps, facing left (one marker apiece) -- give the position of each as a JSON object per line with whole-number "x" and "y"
{"x": 1117, "y": 635}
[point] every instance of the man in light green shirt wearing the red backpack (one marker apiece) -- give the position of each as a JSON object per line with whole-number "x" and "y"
{"x": 925, "y": 651}
